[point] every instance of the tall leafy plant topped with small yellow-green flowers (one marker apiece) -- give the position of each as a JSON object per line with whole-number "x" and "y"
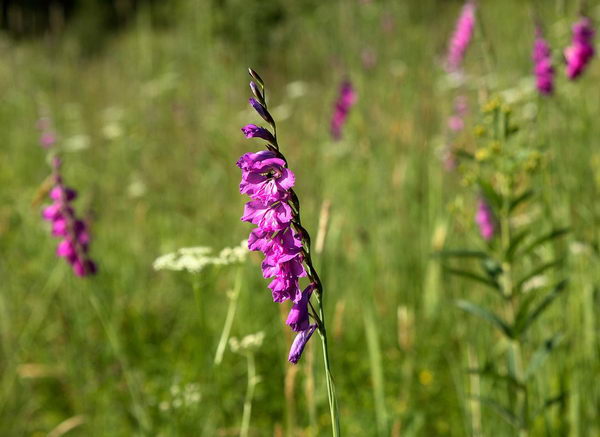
{"x": 513, "y": 260}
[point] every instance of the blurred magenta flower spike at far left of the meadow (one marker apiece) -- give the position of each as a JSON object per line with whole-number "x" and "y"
{"x": 73, "y": 232}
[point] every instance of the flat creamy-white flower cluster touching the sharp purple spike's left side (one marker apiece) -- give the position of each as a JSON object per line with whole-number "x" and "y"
{"x": 195, "y": 259}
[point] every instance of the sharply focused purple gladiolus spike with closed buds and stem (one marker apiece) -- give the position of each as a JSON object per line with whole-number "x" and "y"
{"x": 275, "y": 210}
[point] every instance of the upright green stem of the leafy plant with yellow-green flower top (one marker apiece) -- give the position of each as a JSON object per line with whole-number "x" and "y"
{"x": 512, "y": 301}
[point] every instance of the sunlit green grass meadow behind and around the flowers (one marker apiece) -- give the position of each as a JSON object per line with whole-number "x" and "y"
{"x": 148, "y": 129}
